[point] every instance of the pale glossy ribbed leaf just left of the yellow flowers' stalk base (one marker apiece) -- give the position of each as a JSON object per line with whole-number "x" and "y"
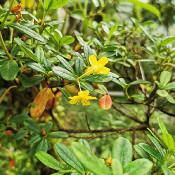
{"x": 63, "y": 73}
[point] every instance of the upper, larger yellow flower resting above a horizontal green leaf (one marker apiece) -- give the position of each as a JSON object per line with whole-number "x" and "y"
{"x": 97, "y": 67}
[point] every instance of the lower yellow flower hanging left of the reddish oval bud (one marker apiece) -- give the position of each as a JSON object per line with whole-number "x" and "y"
{"x": 83, "y": 97}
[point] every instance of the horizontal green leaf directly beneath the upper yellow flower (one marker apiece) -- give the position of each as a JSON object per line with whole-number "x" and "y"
{"x": 100, "y": 78}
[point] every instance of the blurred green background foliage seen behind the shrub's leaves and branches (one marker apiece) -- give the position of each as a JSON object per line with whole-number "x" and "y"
{"x": 91, "y": 21}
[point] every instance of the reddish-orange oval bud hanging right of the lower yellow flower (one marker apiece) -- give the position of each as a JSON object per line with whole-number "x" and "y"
{"x": 105, "y": 102}
